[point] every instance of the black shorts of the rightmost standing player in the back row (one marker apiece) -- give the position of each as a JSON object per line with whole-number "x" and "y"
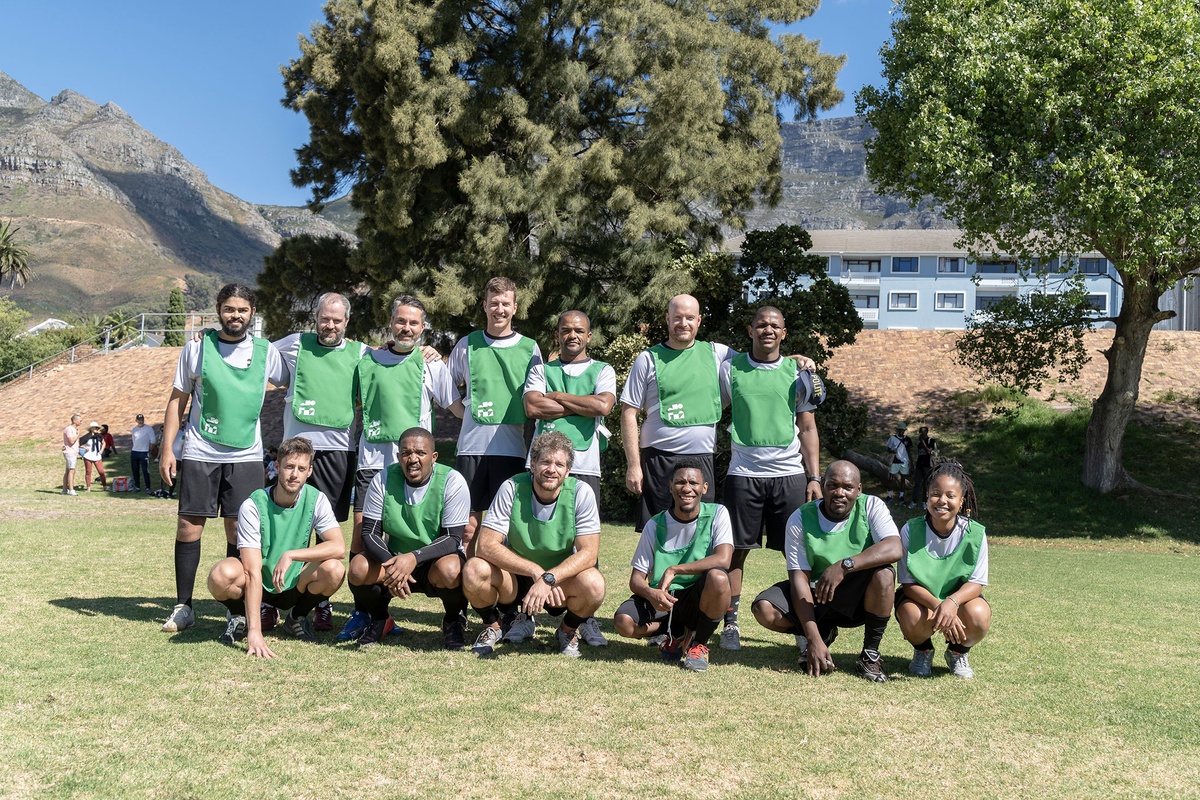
{"x": 759, "y": 503}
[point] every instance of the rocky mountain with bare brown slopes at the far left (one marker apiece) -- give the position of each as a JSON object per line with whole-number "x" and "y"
{"x": 113, "y": 216}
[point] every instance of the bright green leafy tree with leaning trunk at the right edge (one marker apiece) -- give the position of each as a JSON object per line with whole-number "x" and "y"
{"x": 1051, "y": 128}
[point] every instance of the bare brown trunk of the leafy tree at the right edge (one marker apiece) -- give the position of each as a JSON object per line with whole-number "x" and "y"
{"x": 1103, "y": 467}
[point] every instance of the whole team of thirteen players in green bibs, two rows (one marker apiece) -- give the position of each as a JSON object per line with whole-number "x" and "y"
{"x": 513, "y": 532}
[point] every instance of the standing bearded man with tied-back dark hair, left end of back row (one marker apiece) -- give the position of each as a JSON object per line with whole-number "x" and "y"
{"x": 226, "y": 376}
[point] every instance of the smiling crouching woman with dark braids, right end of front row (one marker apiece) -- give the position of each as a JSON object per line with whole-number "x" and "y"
{"x": 943, "y": 575}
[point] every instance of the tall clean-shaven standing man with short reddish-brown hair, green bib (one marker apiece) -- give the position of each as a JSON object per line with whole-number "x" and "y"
{"x": 491, "y": 369}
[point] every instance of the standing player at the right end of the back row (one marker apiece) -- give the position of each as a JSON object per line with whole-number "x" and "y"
{"x": 775, "y": 446}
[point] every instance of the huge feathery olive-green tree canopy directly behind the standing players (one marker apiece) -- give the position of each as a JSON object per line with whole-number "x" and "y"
{"x": 563, "y": 145}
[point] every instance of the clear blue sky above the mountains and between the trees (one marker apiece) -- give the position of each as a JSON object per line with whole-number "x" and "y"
{"x": 206, "y": 76}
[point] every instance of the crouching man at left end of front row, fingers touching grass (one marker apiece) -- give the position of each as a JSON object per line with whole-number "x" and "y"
{"x": 275, "y": 530}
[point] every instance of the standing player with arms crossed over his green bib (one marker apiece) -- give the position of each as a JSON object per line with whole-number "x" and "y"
{"x": 573, "y": 394}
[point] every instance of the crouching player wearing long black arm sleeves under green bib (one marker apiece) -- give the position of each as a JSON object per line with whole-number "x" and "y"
{"x": 421, "y": 508}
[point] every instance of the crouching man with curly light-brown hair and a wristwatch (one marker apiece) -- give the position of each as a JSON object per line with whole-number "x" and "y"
{"x": 538, "y": 548}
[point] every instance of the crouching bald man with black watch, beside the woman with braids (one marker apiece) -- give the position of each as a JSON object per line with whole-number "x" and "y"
{"x": 839, "y": 554}
